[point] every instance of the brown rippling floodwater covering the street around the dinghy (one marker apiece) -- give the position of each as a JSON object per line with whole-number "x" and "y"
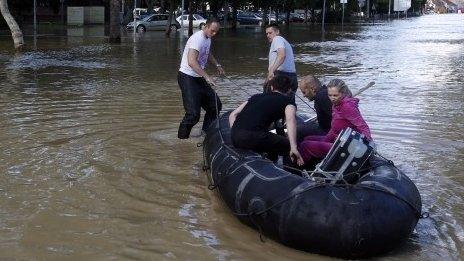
{"x": 91, "y": 166}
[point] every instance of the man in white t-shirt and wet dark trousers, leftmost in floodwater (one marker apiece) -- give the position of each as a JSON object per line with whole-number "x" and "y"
{"x": 195, "y": 83}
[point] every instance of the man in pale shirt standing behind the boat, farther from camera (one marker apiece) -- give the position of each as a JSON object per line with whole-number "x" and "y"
{"x": 281, "y": 60}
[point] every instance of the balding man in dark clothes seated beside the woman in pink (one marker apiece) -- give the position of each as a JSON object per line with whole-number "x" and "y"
{"x": 312, "y": 89}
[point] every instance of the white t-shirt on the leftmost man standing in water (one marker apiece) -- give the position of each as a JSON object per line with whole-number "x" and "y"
{"x": 198, "y": 41}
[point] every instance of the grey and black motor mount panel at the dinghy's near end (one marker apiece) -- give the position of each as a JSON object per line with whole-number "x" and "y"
{"x": 348, "y": 157}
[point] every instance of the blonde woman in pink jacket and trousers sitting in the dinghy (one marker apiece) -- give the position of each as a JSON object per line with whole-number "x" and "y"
{"x": 345, "y": 113}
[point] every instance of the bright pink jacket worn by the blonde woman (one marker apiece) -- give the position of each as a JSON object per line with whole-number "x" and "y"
{"x": 346, "y": 114}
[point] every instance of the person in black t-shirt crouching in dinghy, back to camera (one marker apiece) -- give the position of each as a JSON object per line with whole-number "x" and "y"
{"x": 251, "y": 120}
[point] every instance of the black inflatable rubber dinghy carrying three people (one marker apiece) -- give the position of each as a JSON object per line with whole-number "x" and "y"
{"x": 363, "y": 219}
